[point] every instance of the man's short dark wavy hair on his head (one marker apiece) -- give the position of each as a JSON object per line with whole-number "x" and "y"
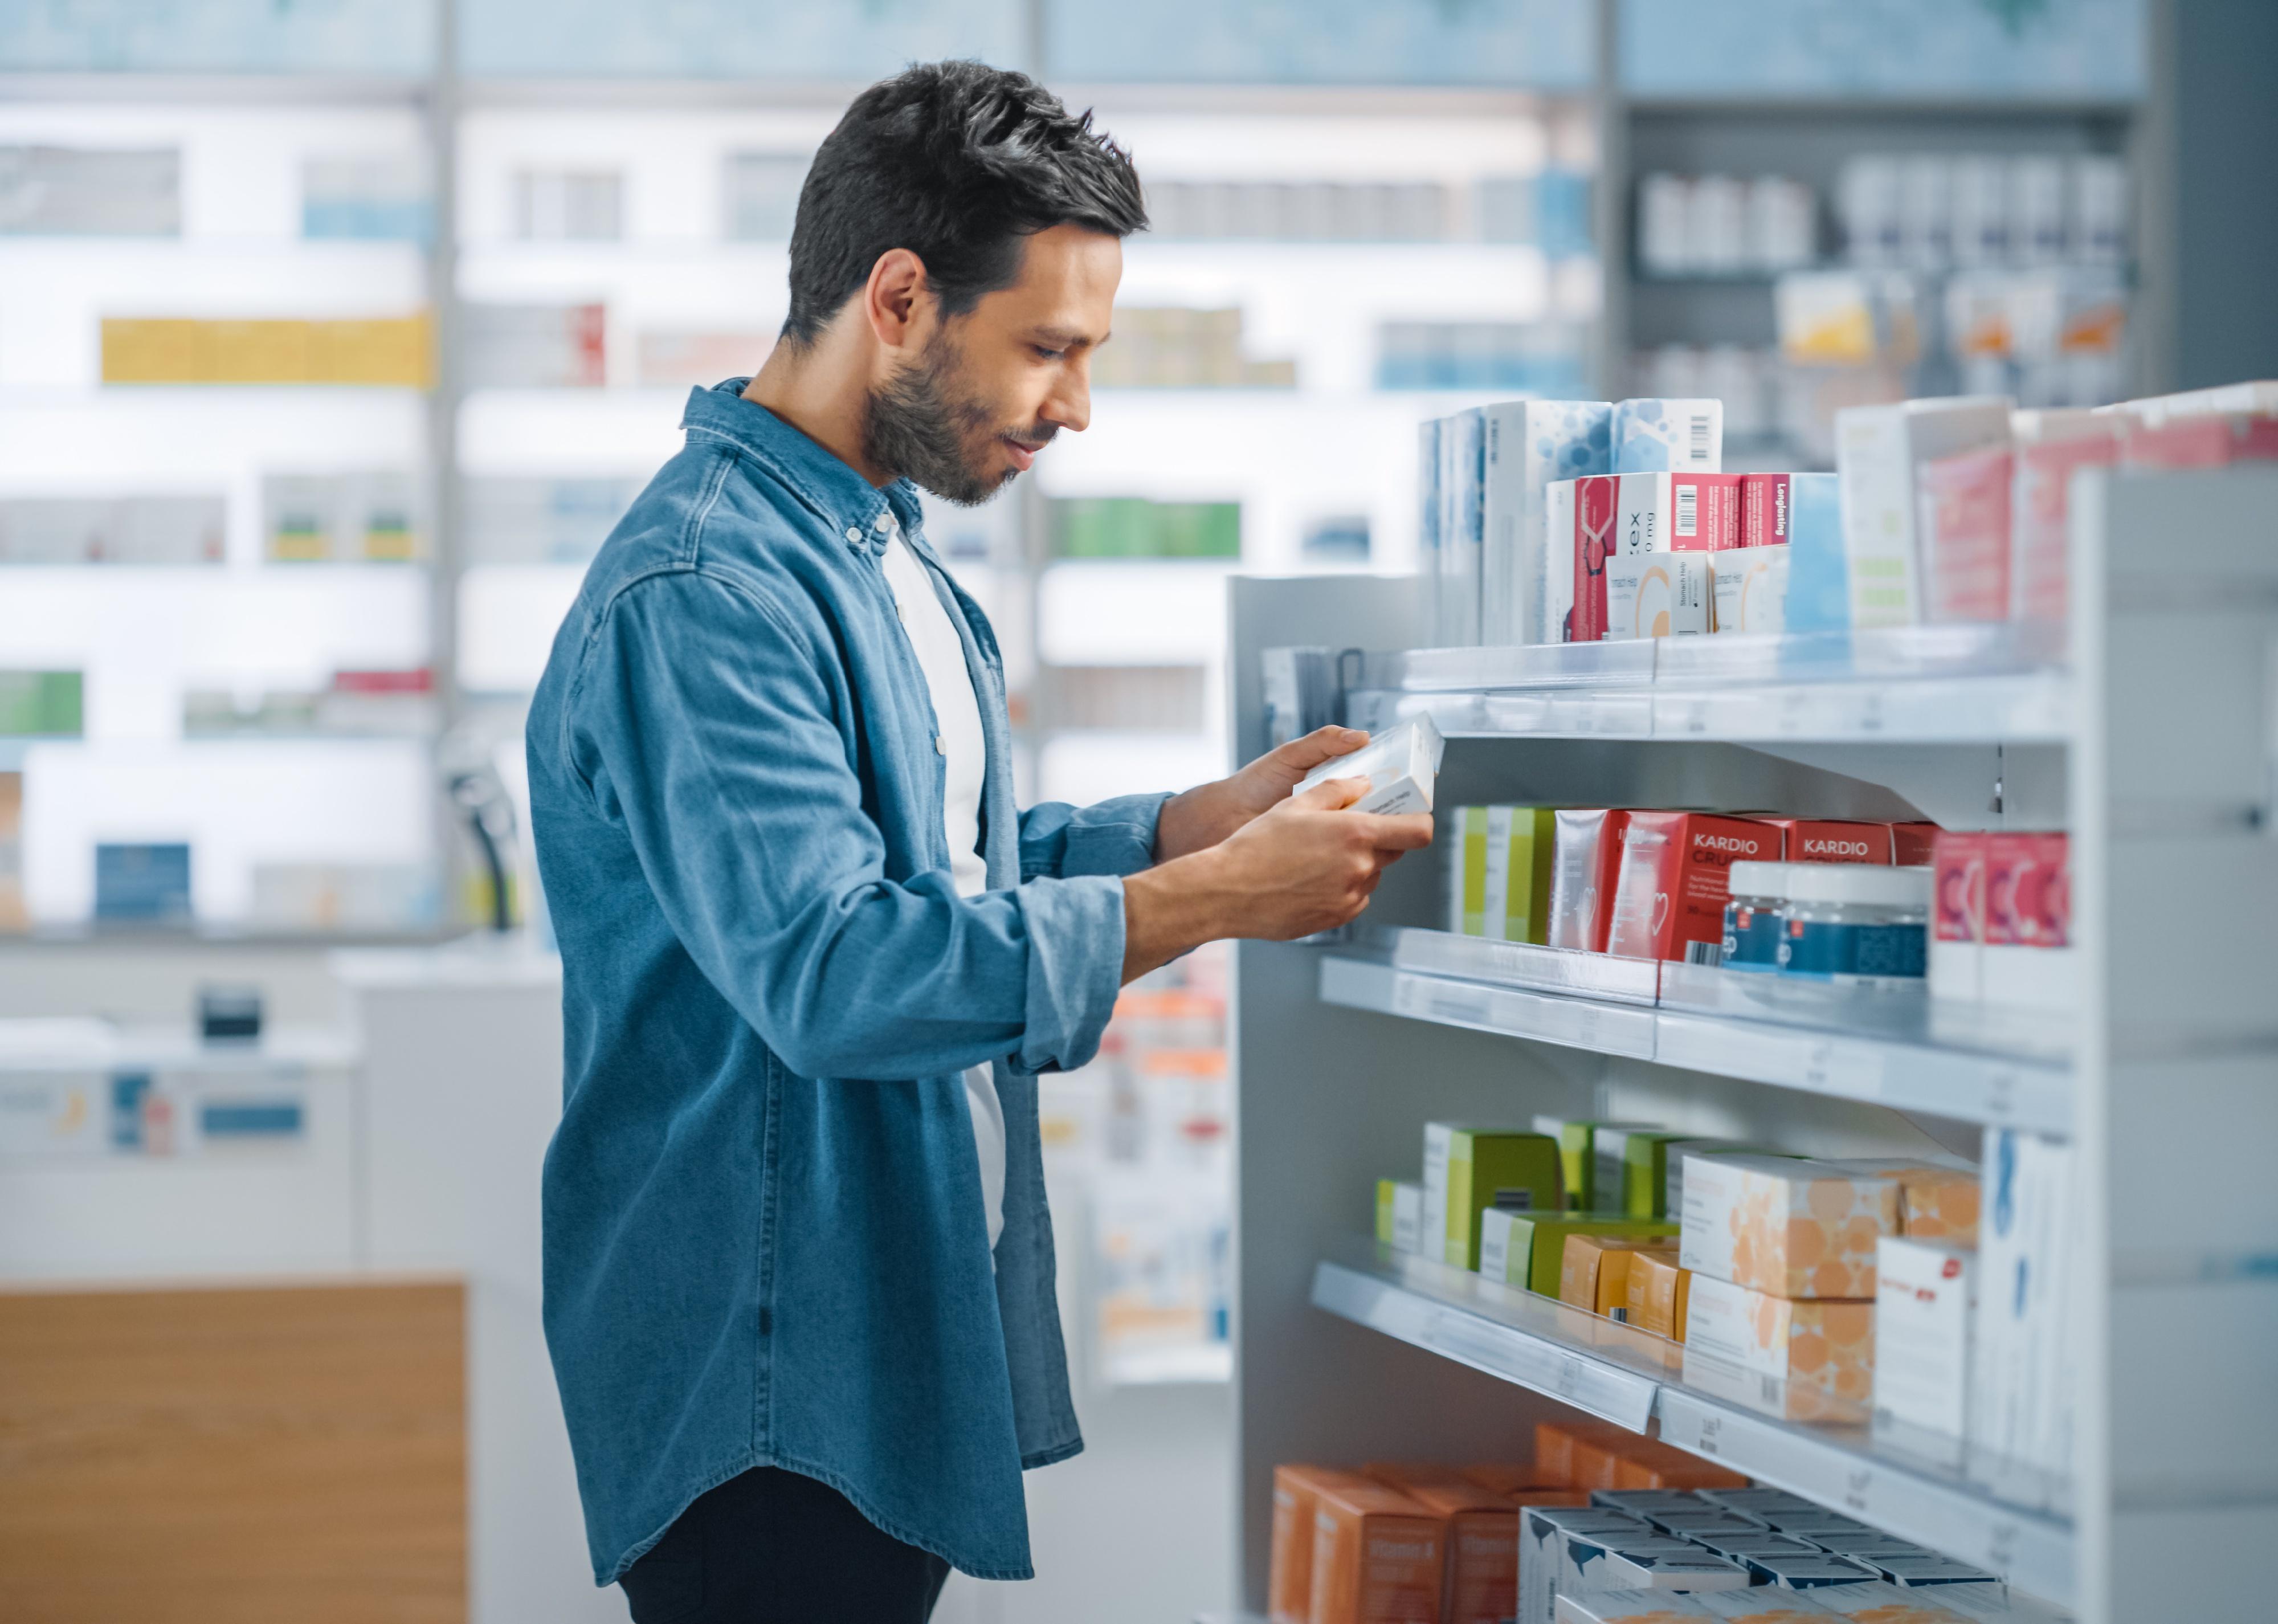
{"x": 958, "y": 163}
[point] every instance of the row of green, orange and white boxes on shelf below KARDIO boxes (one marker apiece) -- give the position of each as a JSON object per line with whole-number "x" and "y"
{"x": 1771, "y": 1265}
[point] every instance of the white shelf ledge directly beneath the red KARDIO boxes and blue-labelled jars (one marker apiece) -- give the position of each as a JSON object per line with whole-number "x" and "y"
{"x": 1883, "y": 1049}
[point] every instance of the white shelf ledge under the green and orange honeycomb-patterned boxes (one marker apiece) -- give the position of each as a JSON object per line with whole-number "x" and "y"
{"x": 1644, "y": 1381}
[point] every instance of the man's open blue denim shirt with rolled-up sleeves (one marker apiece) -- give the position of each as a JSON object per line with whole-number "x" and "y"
{"x": 764, "y": 1231}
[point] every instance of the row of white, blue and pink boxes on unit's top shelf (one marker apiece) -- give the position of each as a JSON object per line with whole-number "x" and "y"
{"x": 1593, "y": 520}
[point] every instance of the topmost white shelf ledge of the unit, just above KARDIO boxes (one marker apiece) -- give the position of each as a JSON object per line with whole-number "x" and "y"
{"x": 1912, "y": 684}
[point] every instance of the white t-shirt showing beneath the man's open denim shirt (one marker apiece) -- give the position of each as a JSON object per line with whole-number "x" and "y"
{"x": 958, "y": 712}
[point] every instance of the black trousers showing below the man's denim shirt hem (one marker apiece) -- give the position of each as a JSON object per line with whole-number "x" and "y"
{"x": 773, "y": 1548}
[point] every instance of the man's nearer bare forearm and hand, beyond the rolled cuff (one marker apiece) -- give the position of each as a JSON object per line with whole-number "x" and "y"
{"x": 1300, "y": 869}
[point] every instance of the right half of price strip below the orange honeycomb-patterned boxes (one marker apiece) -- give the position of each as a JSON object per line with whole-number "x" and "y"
{"x": 2031, "y": 1552}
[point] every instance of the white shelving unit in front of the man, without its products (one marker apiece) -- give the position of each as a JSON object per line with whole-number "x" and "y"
{"x": 2152, "y": 732}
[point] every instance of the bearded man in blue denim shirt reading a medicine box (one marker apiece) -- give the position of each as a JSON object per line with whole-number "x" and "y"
{"x": 798, "y": 1258}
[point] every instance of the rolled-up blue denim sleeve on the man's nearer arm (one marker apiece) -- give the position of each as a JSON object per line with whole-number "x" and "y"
{"x": 707, "y": 730}
